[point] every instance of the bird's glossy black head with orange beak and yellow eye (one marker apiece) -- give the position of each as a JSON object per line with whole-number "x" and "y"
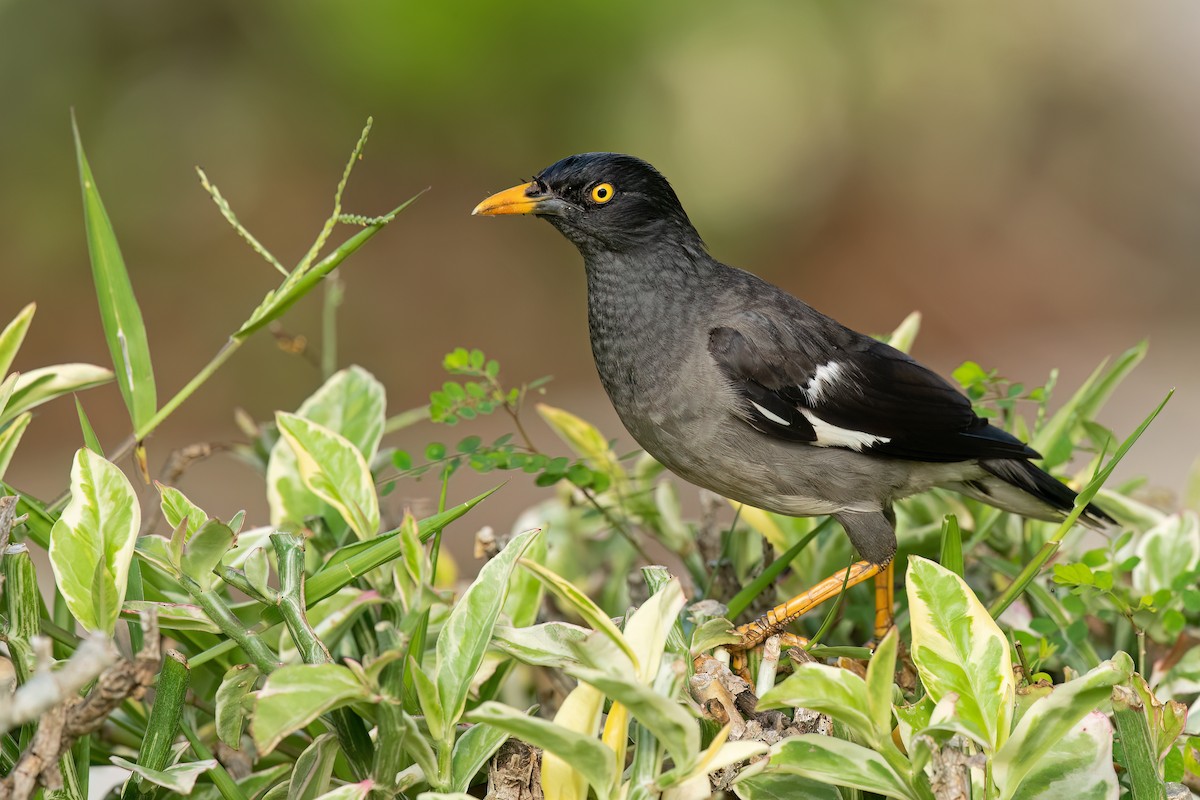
{"x": 603, "y": 202}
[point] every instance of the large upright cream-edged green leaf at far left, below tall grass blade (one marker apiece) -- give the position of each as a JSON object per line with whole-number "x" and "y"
{"x": 92, "y": 545}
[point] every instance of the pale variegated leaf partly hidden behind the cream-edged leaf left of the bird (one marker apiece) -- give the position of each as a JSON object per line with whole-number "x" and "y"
{"x": 352, "y": 404}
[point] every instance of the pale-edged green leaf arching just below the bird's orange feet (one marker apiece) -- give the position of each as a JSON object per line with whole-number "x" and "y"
{"x": 837, "y": 693}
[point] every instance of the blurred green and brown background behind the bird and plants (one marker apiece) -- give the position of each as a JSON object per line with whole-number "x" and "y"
{"x": 1027, "y": 176}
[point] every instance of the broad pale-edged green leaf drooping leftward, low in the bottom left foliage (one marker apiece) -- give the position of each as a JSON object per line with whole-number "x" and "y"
{"x": 297, "y": 695}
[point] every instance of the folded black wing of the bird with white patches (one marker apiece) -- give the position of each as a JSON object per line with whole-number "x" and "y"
{"x": 851, "y": 393}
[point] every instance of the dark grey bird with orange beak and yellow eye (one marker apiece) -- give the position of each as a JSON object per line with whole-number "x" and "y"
{"x": 743, "y": 389}
